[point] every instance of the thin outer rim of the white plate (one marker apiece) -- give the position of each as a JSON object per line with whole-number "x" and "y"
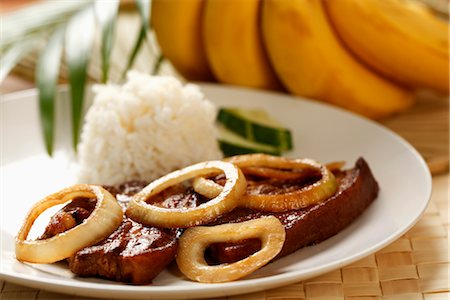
{"x": 273, "y": 280}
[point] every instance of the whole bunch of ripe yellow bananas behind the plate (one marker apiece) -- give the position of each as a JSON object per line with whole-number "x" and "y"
{"x": 368, "y": 56}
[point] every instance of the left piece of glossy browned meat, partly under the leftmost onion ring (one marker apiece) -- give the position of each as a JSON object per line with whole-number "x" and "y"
{"x": 134, "y": 253}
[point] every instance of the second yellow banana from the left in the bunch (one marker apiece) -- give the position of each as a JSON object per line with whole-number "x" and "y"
{"x": 234, "y": 45}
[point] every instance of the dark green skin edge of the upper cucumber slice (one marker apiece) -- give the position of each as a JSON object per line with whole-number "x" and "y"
{"x": 278, "y": 137}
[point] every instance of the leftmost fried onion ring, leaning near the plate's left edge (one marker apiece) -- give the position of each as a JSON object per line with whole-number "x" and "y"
{"x": 104, "y": 219}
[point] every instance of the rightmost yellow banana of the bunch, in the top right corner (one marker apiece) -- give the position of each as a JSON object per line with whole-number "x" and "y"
{"x": 401, "y": 39}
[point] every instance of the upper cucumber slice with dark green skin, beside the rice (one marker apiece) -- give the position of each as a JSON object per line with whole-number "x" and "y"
{"x": 257, "y": 126}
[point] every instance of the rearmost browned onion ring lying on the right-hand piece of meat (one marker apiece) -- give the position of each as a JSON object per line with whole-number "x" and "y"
{"x": 309, "y": 195}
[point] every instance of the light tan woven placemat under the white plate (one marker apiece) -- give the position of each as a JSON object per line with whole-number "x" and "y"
{"x": 416, "y": 266}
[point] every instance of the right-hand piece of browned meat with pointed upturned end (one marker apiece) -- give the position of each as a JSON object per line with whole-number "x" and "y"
{"x": 357, "y": 189}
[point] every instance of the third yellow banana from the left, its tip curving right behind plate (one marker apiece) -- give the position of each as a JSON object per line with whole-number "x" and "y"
{"x": 311, "y": 61}
